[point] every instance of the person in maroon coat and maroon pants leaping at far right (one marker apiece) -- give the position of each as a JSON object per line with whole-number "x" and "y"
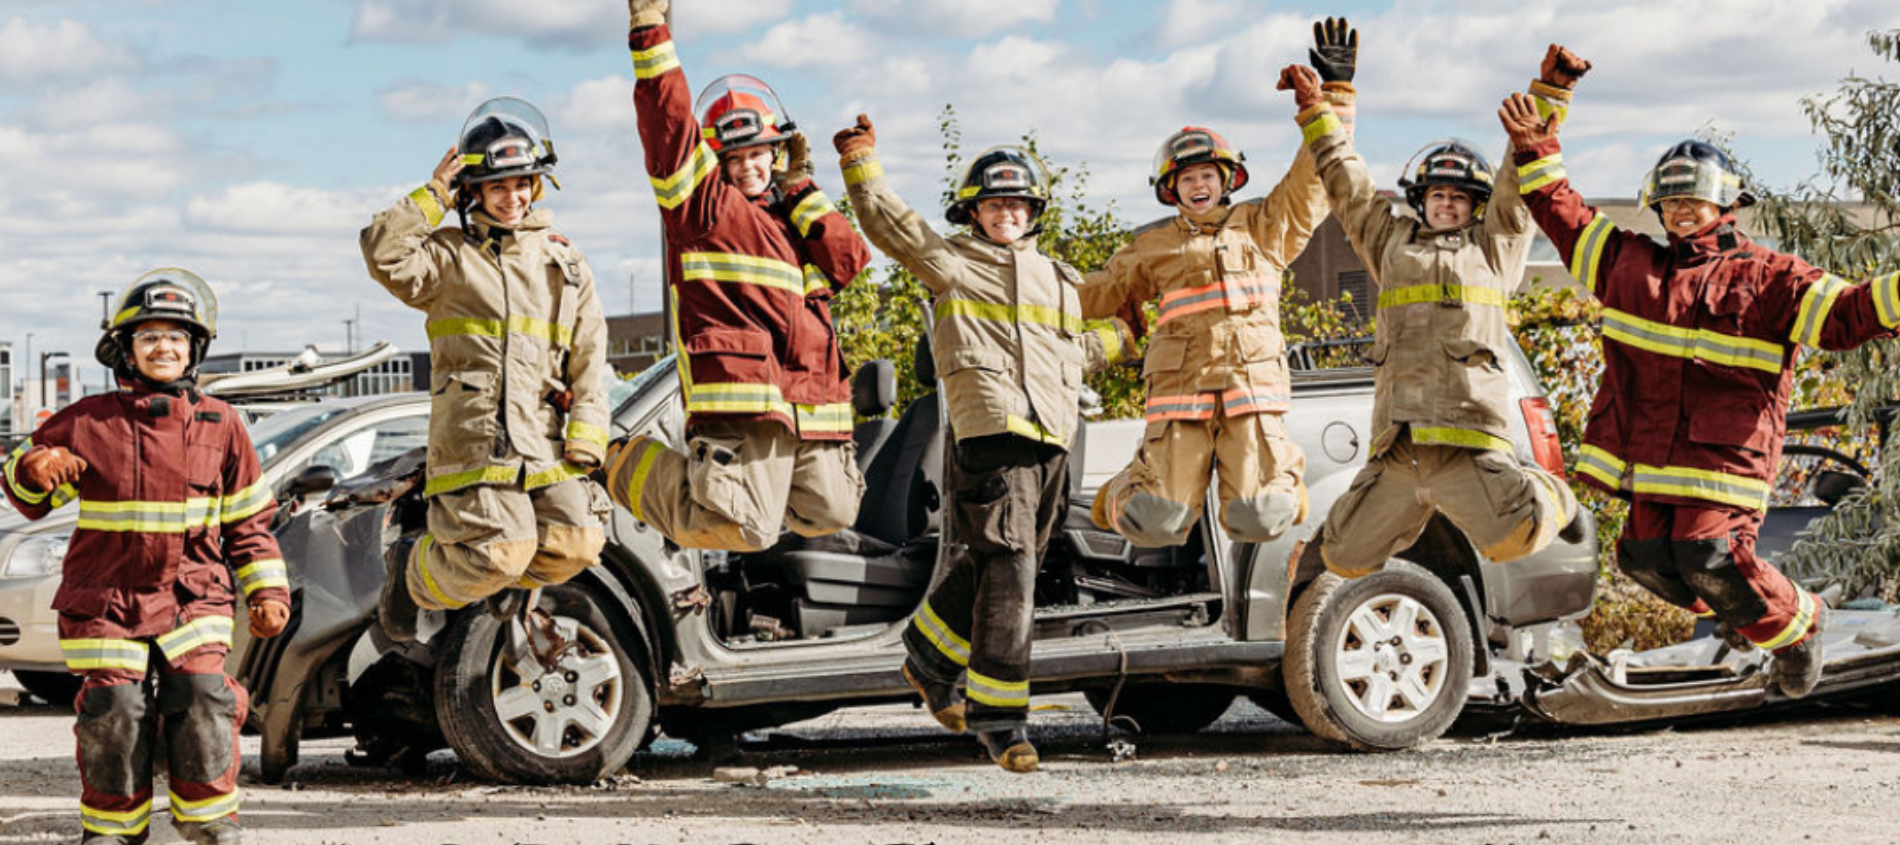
{"x": 1700, "y": 339}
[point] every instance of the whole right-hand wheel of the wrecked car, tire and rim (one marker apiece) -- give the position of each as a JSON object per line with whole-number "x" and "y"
{"x": 1342, "y": 666}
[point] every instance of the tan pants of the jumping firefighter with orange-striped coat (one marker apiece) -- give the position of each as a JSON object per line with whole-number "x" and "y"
{"x": 1158, "y": 498}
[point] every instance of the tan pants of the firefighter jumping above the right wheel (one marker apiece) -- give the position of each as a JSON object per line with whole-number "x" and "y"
{"x": 1506, "y": 508}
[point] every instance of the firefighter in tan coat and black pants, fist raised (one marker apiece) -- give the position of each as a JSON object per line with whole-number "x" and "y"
{"x": 1012, "y": 350}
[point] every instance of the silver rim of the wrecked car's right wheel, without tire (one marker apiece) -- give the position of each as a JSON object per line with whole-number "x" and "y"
{"x": 1392, "y": 658}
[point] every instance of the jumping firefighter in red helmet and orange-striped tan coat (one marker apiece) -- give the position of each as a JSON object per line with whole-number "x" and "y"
{"x": 1217, "y": 366}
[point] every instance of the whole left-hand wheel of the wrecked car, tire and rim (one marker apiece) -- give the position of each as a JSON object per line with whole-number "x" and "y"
{"x": 546, "y": 740}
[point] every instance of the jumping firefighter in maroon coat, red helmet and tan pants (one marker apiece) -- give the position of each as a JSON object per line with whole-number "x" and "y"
{"x": 755, "y": 253}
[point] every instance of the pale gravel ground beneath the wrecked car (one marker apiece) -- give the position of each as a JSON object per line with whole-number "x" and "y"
{"x": 1827, "y": 774}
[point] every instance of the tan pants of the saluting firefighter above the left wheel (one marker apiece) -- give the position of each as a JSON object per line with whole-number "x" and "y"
{"x": 491, "y": 538}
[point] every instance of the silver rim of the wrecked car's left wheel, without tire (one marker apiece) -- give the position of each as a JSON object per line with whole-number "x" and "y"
{"x": 563, "y": 713}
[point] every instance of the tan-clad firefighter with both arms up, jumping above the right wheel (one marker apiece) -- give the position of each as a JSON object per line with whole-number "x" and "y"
{"x": 1443, "y": 404}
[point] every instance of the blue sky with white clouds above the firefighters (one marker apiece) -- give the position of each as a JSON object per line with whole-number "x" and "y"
{"x": 250, "y": 141}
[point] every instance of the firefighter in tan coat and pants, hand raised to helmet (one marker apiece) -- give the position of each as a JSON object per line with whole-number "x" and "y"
{"x": 518, "y": 354}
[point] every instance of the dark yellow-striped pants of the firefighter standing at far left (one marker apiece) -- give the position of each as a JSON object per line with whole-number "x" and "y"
{"x": 138, "y": 690}
